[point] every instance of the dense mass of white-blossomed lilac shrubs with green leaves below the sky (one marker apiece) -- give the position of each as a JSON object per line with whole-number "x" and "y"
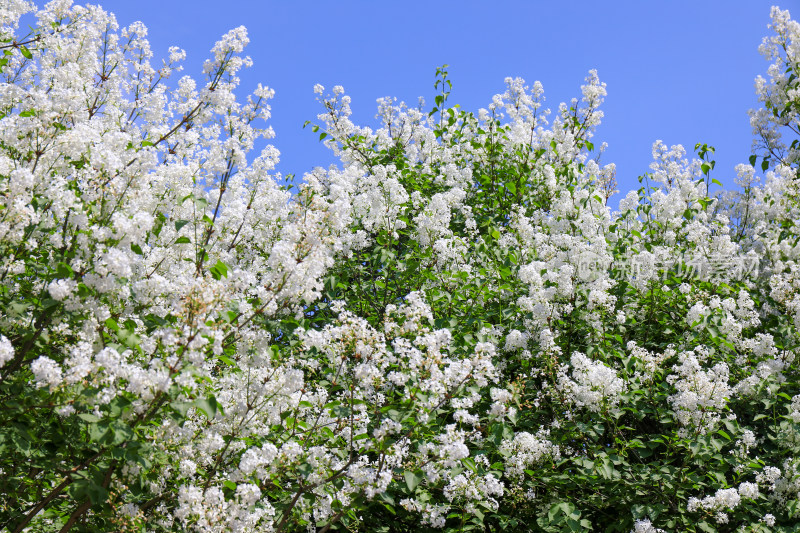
{"x": 448, "y": 330}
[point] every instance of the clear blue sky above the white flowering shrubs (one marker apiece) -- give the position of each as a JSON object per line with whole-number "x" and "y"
{"x": 680, "y": 71}
